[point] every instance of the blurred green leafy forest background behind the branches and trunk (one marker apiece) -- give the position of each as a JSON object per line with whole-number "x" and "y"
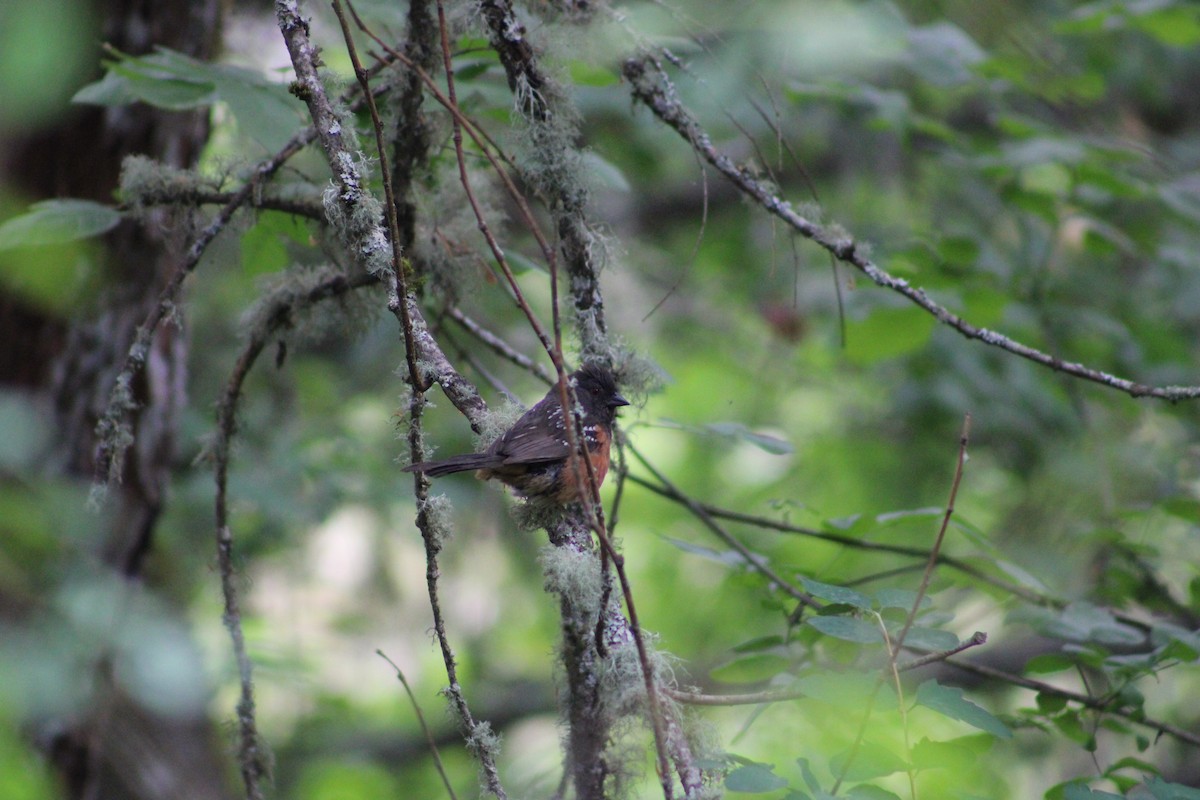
{"x": 1034, "y": 166}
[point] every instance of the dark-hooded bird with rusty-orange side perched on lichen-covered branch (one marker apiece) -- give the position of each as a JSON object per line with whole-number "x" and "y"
{"x": 535, "y": 456}
